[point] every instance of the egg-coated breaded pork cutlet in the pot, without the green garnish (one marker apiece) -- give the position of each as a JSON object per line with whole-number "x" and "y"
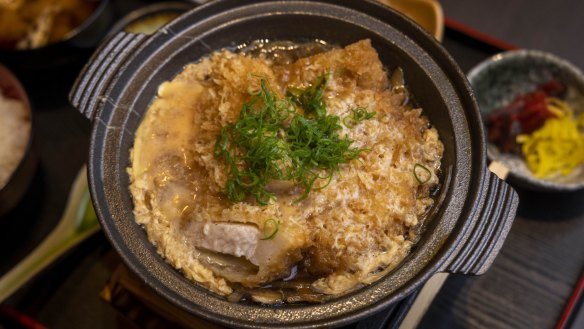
{"x": 345, "y": 233}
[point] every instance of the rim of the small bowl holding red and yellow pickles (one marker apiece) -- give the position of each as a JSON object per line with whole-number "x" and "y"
{"x": 504, "y": 58}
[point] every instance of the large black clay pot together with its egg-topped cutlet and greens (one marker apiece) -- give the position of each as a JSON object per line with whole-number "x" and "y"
{"x": 262, "y": 189}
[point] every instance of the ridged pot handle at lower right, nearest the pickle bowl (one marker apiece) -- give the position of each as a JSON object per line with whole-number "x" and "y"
{"x": 491, "y": 223}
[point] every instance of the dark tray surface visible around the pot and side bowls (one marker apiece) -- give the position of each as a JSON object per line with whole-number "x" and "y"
{"x": 527, "y": 286}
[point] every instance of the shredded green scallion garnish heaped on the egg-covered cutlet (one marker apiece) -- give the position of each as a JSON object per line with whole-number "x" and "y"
{"x": 284, "y": 139}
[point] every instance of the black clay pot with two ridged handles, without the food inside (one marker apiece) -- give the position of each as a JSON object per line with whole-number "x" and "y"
{"x": 474, "y": 209}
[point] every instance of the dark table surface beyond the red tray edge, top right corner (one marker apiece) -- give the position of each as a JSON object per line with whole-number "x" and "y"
{"x": 553, "y": 26}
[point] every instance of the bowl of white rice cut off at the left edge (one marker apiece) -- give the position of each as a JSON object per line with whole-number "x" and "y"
{"x": 17, "y": 159}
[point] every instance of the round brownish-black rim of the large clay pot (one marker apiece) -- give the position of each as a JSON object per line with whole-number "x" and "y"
{"x": 469, "y": 156}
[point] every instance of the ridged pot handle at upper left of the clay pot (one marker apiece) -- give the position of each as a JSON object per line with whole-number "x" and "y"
{"x": 104, "y": 67}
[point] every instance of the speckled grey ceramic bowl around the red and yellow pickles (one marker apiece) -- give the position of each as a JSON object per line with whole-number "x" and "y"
{"x": 499, "y": 79}
